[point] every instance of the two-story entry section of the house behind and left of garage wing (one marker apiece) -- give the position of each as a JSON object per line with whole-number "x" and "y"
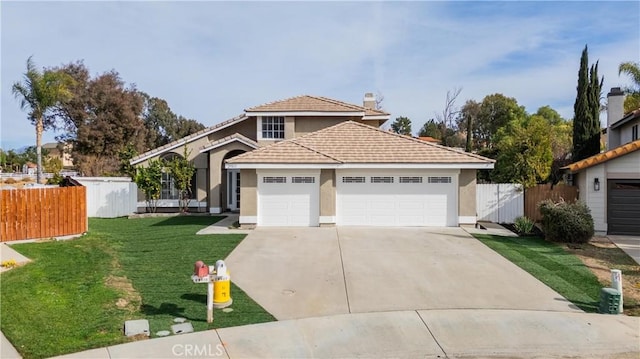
{"x": 217, "y": 189}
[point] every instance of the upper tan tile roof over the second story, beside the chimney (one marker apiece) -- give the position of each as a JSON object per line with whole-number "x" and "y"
{"x": 308, "y": 103}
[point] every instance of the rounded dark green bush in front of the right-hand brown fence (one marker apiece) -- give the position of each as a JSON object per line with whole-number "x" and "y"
{"x": 566, "y": 222}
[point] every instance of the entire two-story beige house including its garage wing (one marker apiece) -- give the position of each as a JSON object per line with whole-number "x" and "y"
{"x": 310, "y": 161}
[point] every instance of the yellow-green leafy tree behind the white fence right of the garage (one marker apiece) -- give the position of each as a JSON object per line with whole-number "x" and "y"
{"x": 524, "y": 152}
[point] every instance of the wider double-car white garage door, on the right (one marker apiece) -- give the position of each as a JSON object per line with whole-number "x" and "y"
{"x": 396, "y": 198}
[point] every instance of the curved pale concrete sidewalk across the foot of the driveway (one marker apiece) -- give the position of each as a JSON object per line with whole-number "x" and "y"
{"x": 423, "y": 333}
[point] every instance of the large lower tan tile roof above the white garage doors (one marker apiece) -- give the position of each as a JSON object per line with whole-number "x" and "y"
{"x": 352, "y": 142}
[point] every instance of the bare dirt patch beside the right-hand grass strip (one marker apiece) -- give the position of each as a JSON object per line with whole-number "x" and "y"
{"x": 601, "y": 255}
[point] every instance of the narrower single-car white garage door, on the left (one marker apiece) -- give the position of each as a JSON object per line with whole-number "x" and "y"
{"x": 288, "y": 199}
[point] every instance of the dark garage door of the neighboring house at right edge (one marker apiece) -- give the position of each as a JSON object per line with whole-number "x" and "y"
{"x": 623, "y": 207}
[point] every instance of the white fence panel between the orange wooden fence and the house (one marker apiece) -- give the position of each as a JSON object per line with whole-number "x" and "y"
{"x": 110, "y": 197}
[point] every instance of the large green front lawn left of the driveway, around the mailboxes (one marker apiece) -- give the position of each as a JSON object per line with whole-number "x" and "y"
{"x": 65, "y": 300}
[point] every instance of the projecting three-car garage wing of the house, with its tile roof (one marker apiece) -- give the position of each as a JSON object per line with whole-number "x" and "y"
{"x": 353, "y": 174}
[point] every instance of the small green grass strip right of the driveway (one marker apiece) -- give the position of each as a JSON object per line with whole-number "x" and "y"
{"x": 552, "y": 265}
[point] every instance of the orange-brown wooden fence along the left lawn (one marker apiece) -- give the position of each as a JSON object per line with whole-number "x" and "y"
{"x": 42, "y": 212}
